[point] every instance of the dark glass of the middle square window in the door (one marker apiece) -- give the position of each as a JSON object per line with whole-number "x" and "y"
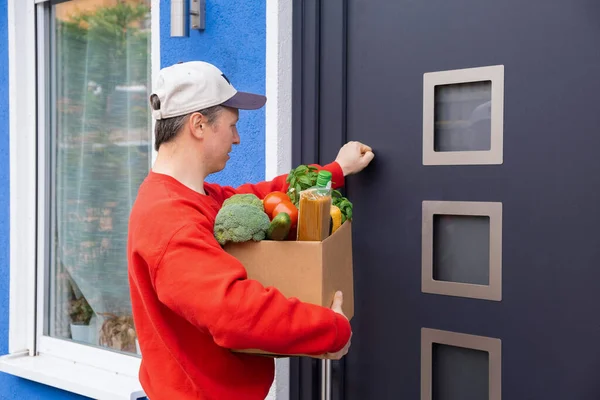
{"x": 461, "y": 248}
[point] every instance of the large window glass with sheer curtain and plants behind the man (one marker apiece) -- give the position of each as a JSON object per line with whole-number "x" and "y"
{"x": 101, "y": 151}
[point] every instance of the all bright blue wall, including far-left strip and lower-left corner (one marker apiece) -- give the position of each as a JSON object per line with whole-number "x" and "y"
{"x": 234, "y": 40}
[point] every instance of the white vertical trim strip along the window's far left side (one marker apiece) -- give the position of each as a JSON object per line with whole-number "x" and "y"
{"x": 23, "y": 165}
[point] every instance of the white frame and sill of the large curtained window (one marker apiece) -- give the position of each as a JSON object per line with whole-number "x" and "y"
{"x": 73, "y": 367}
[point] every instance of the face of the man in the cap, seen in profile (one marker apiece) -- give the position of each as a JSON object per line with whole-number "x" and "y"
{"x": 219, "y": 139}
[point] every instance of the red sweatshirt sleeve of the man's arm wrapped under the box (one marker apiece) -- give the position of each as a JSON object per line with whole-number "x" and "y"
{"x": 205, "y": 285}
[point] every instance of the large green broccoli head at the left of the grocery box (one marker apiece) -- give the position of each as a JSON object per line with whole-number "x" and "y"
{"x": 240, "y": 223}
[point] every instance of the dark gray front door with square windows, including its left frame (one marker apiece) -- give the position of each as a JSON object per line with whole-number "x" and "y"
{"x": 486, "y": 178}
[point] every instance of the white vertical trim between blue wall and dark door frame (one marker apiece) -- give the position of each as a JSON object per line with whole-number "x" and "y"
{"x": 278, "y": 126}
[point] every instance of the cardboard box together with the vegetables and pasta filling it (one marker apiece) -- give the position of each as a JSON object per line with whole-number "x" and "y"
{"x": 299, "y": 242}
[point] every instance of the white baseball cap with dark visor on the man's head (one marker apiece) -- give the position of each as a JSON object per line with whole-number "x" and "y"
{"x": 192, "y": 86}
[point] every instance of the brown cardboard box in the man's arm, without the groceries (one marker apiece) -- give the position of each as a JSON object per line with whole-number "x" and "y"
{"x": 309, "y": 271}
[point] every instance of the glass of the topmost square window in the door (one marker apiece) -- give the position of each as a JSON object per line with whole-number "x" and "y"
{"x": 462, "y": 119}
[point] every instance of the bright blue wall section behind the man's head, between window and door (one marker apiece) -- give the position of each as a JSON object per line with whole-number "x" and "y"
{"x": 234, "y": 41}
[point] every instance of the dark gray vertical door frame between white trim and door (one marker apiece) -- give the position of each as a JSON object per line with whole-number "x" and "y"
{"x": 319, "y": 54}
